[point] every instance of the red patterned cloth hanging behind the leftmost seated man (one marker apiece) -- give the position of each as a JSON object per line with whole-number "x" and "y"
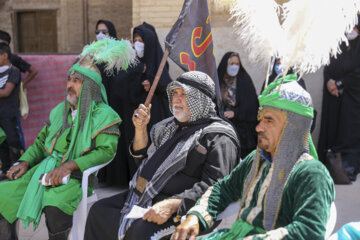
{"x": 45, "y": 91}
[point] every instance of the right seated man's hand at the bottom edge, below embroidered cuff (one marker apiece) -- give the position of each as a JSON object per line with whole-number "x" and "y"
{"x": 189, "y": 227}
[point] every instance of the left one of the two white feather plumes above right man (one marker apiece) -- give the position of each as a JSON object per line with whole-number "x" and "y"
{"x": 258, "y": 28}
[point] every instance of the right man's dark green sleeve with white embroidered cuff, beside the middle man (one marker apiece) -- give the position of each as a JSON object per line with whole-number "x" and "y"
{"x": 218, "y": 197}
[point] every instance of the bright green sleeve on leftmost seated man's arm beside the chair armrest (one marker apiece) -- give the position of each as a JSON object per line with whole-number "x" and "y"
{"x": 105, "y": 148}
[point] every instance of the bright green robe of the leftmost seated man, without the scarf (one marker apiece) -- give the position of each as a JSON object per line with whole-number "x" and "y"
{"x": 104, "y": 137}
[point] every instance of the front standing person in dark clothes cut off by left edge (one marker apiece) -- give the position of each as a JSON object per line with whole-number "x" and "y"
{"x": 10, "y": 78}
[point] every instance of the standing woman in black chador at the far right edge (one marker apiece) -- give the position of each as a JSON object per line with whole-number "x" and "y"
{"x": 340, "y": 122}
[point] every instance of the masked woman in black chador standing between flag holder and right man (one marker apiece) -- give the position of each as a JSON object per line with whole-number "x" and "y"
{"x": 239, "y": 99}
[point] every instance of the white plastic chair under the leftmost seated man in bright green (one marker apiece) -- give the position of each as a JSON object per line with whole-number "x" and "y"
{"x": 80, "y": 215}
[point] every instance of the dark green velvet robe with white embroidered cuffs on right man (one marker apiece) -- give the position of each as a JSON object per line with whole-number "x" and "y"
{"x": 304, "y": 207}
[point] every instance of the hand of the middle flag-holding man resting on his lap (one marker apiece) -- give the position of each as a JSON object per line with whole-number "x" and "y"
{"x": 162, "y": 211}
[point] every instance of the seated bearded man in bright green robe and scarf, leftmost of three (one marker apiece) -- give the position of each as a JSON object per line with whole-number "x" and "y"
{"x": 81, "y": 132}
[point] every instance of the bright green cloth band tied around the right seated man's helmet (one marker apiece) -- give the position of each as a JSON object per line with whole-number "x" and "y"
{"x": 273, "y": 100}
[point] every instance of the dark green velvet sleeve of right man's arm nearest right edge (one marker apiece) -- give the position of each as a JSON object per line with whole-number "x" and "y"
{"x": 306, "y": 203}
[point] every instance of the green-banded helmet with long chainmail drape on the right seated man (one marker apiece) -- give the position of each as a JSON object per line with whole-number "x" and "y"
{"x": 294, "y": 145}
